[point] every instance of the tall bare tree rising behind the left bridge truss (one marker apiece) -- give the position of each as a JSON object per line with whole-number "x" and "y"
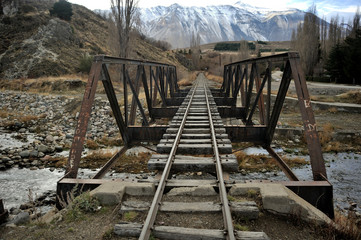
{"x": 124, "y": 14}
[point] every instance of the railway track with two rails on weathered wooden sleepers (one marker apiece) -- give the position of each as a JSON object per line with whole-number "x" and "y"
{"x": 195, "y": 130}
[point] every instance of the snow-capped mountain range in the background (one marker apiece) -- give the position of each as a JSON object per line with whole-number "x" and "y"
{"x": 175, "y": 24}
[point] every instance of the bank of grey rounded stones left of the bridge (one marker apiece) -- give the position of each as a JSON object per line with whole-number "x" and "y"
{"x": 35, "y": 128}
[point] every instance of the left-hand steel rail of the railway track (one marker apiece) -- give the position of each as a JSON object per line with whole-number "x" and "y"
{"x": 149, "y": 221}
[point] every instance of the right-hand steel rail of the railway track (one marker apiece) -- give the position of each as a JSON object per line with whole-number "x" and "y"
{"x": 227, "y": 216}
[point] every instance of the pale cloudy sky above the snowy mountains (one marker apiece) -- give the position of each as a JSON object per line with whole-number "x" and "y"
{"x": 345, "y": 8}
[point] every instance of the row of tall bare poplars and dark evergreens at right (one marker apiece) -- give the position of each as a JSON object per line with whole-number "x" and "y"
{"x": 329, "y": 52}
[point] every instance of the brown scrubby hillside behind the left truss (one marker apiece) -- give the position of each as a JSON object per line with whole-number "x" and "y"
{"x": 34, "y": 44}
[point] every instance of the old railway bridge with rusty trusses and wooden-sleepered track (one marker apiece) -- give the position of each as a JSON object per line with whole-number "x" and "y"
{"x": 198, "y": 138}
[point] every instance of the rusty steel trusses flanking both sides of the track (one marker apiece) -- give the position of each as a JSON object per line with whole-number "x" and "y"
{"x": 245, "y": 93}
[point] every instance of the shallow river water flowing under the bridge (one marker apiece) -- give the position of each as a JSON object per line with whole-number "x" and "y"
{"x": 342, "y": 168}
